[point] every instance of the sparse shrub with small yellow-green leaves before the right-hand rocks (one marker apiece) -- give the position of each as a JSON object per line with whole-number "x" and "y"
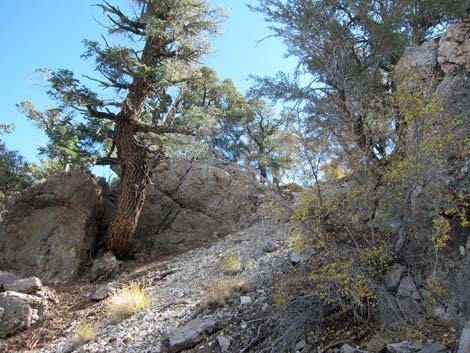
{"x": 383, "y": 212}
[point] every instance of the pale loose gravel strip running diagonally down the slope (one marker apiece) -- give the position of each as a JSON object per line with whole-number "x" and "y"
{"x": 179, "y": 285}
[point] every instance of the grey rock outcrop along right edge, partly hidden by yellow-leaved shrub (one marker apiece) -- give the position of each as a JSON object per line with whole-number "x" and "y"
{"x": 445, "y": 65}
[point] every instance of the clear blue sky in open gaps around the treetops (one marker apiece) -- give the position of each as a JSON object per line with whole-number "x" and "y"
{"x": 49, "y": 33}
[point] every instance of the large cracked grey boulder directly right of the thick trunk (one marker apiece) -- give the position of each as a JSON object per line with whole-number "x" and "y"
{"x": 193, "y": 203}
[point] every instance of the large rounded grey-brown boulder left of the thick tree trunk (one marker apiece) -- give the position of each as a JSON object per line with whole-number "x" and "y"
{"x": 52, "y": 227}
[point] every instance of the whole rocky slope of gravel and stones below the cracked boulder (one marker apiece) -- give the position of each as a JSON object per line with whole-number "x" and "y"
{"x": 179, "y": 292}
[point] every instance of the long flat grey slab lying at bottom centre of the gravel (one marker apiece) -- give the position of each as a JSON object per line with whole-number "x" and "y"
{"x": 191, "y": 333}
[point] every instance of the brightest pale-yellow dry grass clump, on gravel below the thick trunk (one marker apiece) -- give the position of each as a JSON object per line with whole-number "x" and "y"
{"x": 127, "y": 301}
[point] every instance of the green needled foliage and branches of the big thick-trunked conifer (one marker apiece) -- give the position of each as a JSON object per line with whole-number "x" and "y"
{"x": 155, "y": 58}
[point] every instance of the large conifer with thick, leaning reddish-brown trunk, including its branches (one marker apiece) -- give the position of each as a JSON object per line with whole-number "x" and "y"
{"x": 167, "y": 40}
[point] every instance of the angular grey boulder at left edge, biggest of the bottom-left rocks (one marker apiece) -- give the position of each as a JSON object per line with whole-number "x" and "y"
{"x": 19, "y": 311}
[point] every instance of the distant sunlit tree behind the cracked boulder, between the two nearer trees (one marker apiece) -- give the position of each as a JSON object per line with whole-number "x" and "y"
{"x": 246, "y": 130}
